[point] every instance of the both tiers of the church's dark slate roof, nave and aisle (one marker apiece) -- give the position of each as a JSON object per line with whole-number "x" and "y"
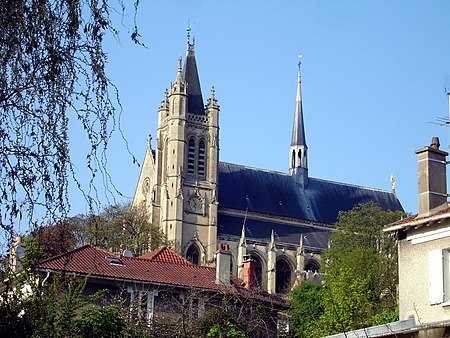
{"x": 279, "y": 196}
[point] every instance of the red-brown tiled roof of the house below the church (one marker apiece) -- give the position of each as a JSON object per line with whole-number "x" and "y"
{"x": 162, "y": 267}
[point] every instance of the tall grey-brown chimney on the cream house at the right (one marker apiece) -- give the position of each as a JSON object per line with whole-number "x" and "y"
{"x": 431, "y": 173}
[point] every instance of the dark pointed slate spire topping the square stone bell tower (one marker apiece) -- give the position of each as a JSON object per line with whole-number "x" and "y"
{"x": 190, "y": 76}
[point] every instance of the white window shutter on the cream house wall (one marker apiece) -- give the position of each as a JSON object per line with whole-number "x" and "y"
{"x": 436, "y": 276}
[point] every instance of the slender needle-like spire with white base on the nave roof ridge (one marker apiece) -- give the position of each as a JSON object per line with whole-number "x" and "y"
{"x": 298, "y": 149}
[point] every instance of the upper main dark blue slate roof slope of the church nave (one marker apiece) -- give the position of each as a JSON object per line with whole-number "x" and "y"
{"x": 277, "y": 194}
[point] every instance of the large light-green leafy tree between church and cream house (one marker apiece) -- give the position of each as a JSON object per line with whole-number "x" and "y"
{"x": 360, "y": 270}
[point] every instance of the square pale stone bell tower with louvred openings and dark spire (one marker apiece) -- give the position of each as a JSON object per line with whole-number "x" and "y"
{"x": 179, "y": 179}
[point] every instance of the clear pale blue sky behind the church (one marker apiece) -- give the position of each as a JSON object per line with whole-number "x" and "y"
{"x": 373, "y": 77}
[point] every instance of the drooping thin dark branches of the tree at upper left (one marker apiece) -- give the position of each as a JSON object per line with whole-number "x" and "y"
{"x": 52, "y": 77}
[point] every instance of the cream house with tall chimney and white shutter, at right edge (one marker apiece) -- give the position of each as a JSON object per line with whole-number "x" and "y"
{"x": 424, "y": 257}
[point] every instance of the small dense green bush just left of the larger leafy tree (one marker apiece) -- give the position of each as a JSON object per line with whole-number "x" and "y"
{"x": 306, "y": 308}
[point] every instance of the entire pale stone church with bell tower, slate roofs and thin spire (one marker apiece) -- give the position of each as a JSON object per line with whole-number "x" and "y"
{"x": 281, "y": 221}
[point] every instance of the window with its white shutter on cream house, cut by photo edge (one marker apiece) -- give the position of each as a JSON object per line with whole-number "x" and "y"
{"x": 439, "y": 276}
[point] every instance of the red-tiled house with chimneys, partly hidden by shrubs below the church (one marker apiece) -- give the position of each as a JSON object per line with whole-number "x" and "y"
{"x": 164, "y": 291}
